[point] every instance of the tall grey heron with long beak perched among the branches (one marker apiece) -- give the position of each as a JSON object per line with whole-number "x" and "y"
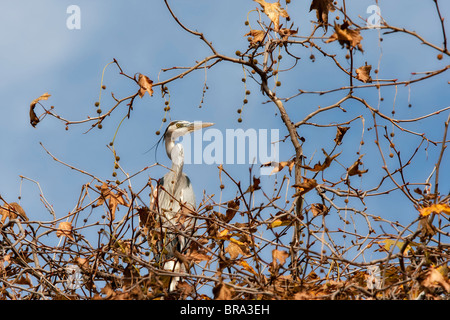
{"x": 174, "y": 192}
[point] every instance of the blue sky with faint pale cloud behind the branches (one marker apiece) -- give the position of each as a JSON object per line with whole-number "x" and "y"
{"x": 40, "y": 54}
